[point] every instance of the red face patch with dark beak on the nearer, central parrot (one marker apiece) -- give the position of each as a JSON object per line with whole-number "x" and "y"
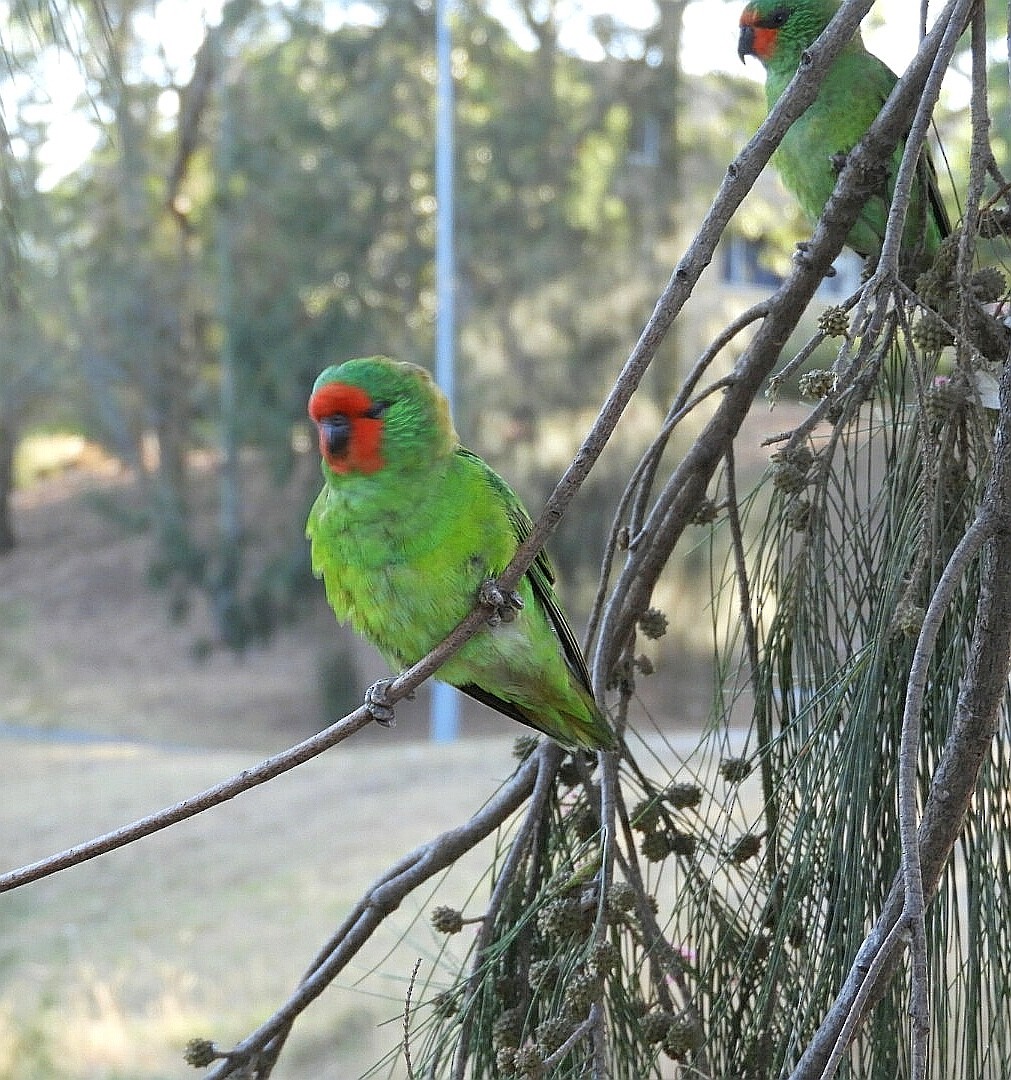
{"x": 351, "y": 427}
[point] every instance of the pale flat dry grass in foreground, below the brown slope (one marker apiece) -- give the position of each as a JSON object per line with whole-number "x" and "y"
{"x": 110, "y": 968}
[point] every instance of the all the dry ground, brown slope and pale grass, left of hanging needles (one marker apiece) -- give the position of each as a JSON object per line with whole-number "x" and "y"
{"x": 106, "y": 970}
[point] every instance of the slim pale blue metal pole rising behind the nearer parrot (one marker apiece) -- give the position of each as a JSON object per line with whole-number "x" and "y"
{"x": 444, "y": 719}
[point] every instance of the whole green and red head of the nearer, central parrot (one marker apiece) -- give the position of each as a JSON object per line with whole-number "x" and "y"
{"x": 376, "y": 413}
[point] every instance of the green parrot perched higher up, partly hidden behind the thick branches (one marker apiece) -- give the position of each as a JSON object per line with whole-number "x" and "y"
{"x": 814, "y": 151}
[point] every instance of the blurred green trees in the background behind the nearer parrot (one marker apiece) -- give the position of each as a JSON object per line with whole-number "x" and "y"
{"x": 264, "y": 207}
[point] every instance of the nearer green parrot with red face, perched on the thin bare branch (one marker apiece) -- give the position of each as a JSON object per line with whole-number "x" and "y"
{"x": 410, "y": 531}
